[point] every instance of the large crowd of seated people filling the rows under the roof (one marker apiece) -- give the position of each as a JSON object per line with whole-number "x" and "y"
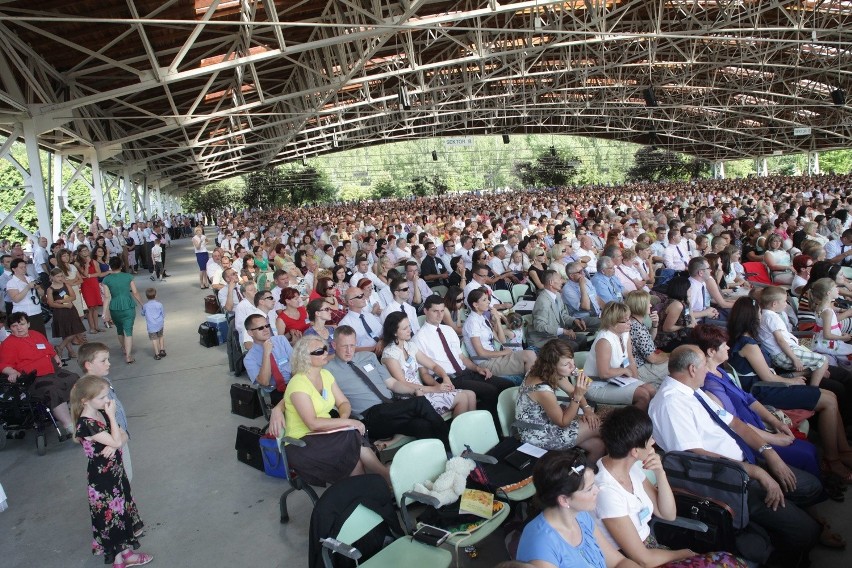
{"x": 405, "y": 291}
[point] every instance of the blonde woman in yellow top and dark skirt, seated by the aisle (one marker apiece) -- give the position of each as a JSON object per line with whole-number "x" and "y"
{"x": 334, "y": 447}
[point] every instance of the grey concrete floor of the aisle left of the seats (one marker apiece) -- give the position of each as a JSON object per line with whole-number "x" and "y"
{"x": 201, "y": 507}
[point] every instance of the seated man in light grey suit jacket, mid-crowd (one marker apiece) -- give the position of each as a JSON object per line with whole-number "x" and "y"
{"x": 551, "y": 318}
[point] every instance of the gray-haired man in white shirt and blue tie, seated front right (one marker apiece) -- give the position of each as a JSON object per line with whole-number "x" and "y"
{"x": 686, "y": 419}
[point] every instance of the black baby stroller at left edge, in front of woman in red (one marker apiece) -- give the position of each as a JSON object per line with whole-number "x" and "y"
{"x": 19, "y": 412}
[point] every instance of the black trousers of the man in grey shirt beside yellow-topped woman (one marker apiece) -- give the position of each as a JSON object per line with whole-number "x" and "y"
{"x": 411, "y": 417}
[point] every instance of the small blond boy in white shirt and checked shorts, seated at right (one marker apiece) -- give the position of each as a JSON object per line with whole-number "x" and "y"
{"x": 780, "y": 343}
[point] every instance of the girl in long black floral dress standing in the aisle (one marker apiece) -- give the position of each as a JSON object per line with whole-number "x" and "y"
{"x": 115, "y": 520}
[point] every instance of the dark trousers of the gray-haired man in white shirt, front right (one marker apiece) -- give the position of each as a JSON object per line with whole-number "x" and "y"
{"x": 793, "y": 532}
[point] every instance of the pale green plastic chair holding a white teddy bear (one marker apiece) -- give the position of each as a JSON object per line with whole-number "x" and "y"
{"x": 425, "y": 460}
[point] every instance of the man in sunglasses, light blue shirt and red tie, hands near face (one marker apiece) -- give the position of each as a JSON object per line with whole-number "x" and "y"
{"x": 268, "y": 361}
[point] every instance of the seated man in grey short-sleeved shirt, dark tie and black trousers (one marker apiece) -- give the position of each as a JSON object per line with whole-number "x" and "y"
{"x": 370, "y": 389}
